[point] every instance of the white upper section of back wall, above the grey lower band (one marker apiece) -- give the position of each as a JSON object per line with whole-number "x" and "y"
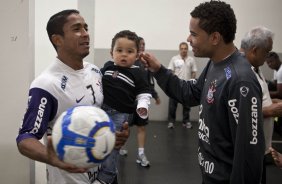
{"x": 165, "y": 23}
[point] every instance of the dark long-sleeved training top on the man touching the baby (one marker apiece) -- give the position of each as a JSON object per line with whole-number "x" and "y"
{"x": 231, "y": 141}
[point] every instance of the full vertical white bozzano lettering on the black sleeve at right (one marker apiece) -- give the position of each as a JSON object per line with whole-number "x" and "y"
{"x": 254, "y": 114}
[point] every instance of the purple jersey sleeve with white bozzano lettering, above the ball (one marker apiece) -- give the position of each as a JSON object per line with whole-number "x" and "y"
{"x": 42, "y": 108}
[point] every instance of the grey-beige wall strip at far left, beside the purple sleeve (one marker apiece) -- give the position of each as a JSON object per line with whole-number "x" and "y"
{"x": 16, "y": 73}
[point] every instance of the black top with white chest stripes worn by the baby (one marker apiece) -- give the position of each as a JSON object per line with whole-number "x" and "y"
{"x": 122, "y": 85}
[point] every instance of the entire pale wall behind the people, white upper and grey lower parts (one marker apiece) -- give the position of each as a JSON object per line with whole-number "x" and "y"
{"x": 26, "y": 51}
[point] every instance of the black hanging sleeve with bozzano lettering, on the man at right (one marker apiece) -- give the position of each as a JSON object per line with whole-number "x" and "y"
{"x": 245, "y": 117}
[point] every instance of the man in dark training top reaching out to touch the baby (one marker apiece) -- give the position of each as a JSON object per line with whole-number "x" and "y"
{"x": 231, "y": 141}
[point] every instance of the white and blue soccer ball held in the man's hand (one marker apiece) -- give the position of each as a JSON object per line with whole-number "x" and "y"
{"x": 83, "y": 136}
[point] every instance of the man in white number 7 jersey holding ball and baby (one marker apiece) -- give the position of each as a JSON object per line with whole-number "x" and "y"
{"x": 67, "y": 82}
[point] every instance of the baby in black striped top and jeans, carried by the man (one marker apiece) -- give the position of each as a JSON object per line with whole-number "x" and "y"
{"x": 124, "y": 84}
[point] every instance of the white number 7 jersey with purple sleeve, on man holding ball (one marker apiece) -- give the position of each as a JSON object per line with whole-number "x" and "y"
{"x": 58, "y": 88}
